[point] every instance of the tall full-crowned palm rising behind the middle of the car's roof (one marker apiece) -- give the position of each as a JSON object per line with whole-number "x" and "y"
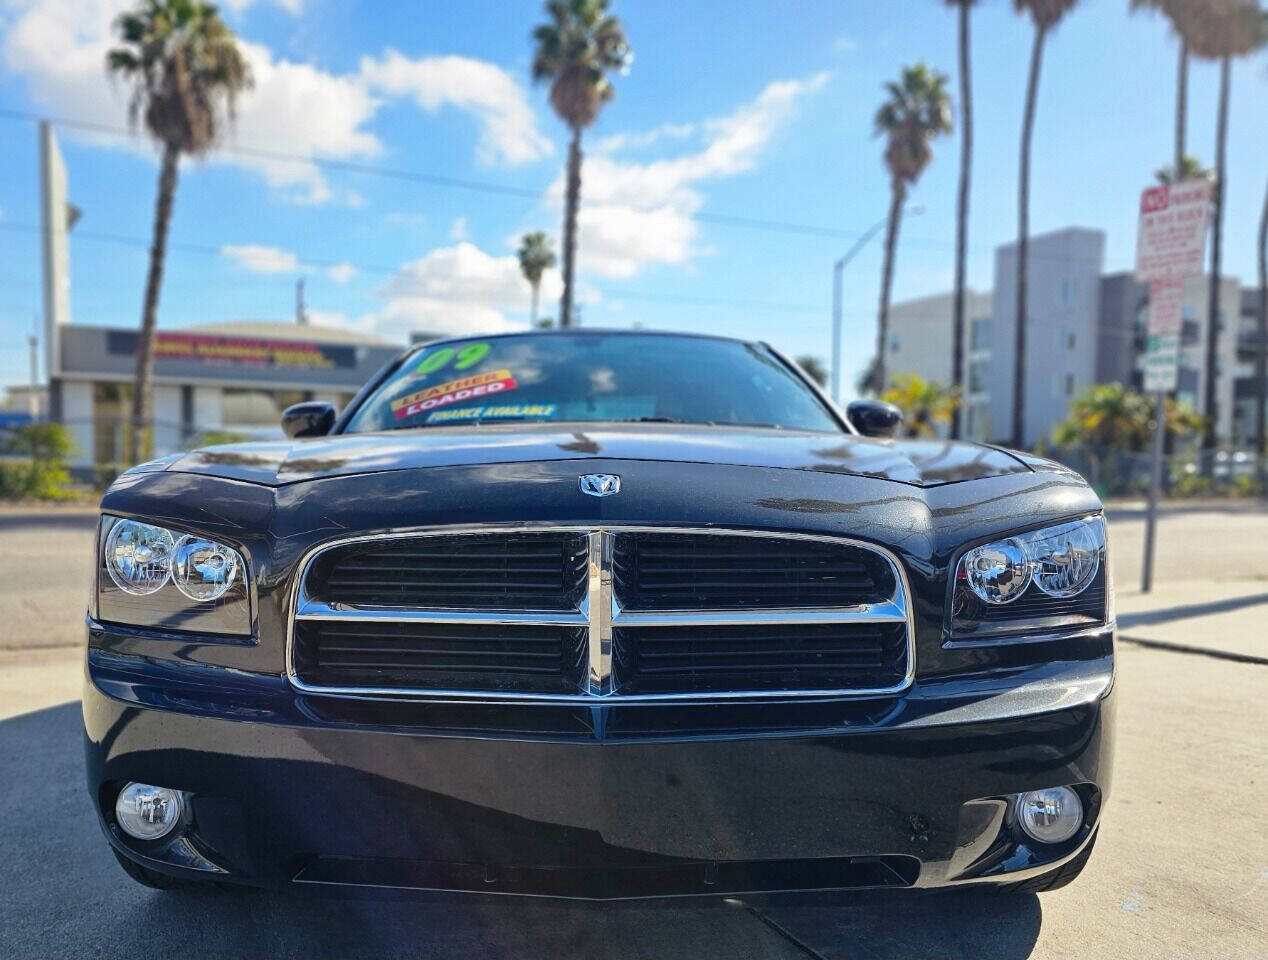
{"x": 576, "y": 51}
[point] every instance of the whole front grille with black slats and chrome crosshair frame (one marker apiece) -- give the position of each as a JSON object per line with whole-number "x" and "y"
{"x": 609, "y": 614}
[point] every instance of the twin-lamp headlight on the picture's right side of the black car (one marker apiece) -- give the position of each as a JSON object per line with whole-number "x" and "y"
{"x": 1040, "y": 580}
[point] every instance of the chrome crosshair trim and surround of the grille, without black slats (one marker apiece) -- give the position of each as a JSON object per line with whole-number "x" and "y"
{"x": 600, "y": 611}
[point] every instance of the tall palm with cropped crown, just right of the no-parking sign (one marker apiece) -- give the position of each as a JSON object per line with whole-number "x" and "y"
{"x": 1218, "y": 30}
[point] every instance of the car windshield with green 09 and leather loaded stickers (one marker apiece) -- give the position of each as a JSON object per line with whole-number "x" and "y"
{"x": 593, "y": 377}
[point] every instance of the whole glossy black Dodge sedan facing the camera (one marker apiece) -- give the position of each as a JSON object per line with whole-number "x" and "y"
{"x": 600, "y": 616}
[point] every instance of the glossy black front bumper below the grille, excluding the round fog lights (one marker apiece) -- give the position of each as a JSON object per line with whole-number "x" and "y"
{"x": 604, "y": 803}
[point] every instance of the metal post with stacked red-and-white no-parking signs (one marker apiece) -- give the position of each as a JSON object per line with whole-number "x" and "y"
{"x": 1171, "y": 243}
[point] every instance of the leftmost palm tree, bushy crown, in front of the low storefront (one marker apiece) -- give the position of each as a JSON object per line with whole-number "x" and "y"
{"x": 186, "y": 72}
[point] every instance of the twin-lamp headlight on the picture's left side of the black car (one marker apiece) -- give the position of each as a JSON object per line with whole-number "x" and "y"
{"x": 153, "y": 576}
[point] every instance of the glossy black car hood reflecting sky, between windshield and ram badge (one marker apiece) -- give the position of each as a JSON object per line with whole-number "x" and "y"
{"x": 922, "y": 464}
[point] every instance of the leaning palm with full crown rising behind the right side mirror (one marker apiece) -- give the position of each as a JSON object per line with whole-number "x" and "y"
{"x": 917, "y": 110}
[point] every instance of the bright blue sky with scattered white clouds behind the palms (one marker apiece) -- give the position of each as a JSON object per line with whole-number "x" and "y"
{"x": 754, "y": 111}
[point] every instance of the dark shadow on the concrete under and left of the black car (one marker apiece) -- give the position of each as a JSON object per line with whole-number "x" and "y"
{"x": 63, "y": 895}
